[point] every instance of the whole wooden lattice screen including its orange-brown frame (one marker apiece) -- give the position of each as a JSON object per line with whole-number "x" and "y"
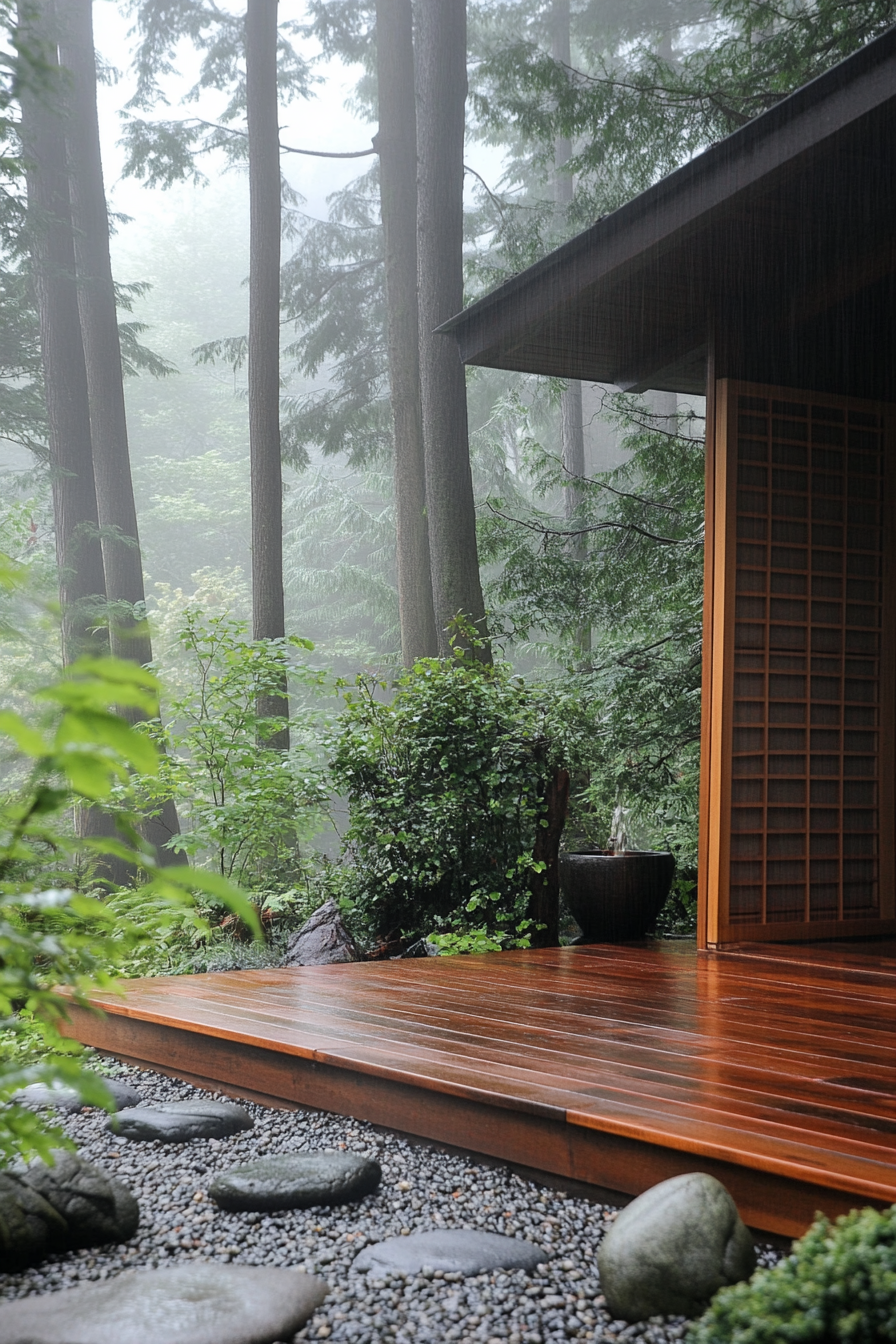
{"x": 803, "y": 790}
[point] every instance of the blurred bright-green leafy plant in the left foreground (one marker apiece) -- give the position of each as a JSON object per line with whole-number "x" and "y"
{"x": 71, "y": 751}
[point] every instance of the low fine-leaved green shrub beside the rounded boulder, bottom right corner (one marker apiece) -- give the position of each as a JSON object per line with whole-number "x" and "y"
{"x": 838, "y": 1284}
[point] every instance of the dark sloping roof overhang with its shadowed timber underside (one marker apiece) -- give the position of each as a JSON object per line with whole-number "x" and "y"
{"x": 769, "y": 220}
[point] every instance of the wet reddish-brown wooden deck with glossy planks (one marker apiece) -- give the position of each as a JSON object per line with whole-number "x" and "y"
{"x": 774, "y": 1069}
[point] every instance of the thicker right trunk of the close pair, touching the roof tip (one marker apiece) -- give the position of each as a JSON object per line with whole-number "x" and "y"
{"x": 441, "y": 96}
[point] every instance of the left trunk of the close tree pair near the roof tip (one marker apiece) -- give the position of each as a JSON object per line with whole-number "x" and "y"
{"x": 397, "y": 147}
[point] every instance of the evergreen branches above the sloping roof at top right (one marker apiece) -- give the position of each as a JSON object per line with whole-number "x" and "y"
{"x": 649, "y": 87}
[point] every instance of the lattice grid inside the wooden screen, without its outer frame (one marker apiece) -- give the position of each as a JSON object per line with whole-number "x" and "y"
{"x": 805, "y": 825}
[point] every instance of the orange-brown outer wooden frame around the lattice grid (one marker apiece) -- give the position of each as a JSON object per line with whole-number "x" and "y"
{"x": 714, "y": 870}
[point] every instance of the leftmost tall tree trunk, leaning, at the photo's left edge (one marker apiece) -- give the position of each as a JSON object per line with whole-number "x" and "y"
{"x": 53, "y": 260}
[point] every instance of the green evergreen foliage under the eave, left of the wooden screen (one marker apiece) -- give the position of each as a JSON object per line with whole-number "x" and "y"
{"x": 640, "y": 589}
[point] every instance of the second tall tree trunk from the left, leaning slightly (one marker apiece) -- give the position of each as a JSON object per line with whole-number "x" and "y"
{"x": 123, "y": 562}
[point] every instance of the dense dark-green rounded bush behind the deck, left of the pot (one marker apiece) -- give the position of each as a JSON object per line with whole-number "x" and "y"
{"x": 445, "y": 784}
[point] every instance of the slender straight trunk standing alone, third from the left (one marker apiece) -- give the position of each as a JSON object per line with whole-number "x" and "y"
{"x": 264, "y": 342}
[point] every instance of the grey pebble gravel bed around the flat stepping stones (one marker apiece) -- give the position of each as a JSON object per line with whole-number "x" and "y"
{"x": 422, "y": 1189}
